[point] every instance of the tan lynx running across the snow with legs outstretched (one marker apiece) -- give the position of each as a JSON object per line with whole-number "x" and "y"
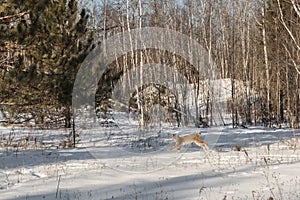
{"x": 187, "y": 139}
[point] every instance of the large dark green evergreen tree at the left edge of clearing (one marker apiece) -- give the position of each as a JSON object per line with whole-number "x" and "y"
{"x": 53, "y": 41}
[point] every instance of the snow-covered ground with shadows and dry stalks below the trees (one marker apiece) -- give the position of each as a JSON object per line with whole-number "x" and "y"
{"x": 253, "y": 163}
